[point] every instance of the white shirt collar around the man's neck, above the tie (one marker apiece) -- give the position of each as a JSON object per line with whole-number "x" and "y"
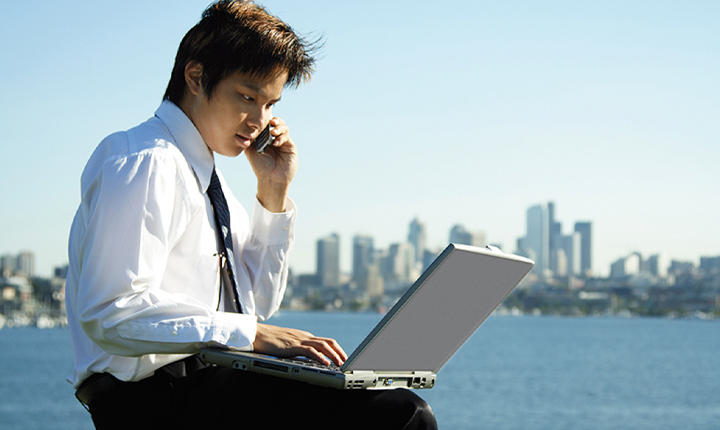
{"x": 188, "y": 140}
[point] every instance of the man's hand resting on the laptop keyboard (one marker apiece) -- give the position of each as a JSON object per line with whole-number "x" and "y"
{"x": 289, "y": 342}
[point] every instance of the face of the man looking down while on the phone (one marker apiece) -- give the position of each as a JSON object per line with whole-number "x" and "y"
{"x": 239, "y": 109}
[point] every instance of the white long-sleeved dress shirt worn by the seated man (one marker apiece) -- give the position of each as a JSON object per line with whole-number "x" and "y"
{"x": 144, "y": 280}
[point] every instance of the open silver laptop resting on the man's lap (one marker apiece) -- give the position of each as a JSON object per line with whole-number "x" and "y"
{"x": 415, "y": 339}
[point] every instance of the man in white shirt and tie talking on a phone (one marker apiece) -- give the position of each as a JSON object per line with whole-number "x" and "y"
{"x": 157, "y": 271}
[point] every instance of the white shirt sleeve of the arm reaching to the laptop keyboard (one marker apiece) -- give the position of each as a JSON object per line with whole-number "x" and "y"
{"x": 134, "y": 211}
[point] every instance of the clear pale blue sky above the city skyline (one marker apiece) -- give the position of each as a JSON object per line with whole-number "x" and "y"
{"x": 454, "y": 112}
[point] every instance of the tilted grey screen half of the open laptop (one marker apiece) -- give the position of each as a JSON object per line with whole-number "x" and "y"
{"x": 440, "y": 311}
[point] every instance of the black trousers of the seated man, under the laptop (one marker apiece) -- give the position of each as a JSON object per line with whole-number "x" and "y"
{"x": 229, "y": 398}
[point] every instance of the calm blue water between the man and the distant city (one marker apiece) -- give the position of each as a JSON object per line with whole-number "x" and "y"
{"x": 527, "y": 373}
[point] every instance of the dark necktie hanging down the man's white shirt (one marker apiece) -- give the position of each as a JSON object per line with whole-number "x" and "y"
{"x": 222, "y": 220}
